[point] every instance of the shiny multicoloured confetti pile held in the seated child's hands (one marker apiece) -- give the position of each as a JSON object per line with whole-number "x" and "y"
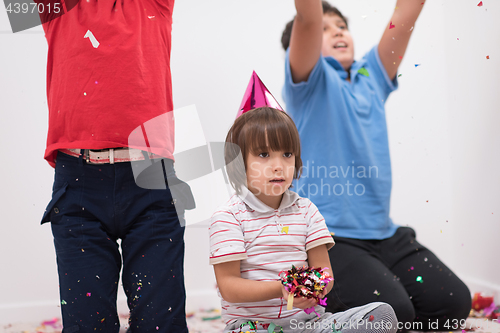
{"x": 308, "y": 282}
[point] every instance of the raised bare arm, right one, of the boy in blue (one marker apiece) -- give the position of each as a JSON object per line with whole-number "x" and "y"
{"x": 395, "y": 39}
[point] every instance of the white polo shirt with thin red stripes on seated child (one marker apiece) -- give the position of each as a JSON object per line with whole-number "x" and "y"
{"x": 266, "y": 241}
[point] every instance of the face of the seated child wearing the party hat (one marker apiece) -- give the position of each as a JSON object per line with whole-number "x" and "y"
{"x": 269, "y": 175}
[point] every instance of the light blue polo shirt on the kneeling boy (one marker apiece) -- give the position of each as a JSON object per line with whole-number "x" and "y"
{"x": 345, "y": 150}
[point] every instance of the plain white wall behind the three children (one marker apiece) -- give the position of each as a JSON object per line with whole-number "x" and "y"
{"x": 442, "y": 129}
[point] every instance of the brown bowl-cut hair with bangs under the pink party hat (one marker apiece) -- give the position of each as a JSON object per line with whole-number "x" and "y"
{"x": 259, "y": 130}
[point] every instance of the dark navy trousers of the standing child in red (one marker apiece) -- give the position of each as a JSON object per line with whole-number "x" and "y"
{"x": 92, "y": 207}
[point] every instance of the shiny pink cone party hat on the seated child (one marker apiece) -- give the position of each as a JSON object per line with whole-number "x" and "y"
{"x": 257, "y": 95}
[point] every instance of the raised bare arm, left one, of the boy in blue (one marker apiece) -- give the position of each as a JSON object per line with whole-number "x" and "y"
{"x": 306, "y": 39}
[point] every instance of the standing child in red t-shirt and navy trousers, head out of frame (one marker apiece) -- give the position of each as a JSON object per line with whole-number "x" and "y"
{"x": 108, "y": 73}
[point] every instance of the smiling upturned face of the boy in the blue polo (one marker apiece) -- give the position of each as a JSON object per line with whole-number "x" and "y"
{"x": 337, "y": 40}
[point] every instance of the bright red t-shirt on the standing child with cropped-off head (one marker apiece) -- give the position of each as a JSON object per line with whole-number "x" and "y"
{"x": 108, "y": 76}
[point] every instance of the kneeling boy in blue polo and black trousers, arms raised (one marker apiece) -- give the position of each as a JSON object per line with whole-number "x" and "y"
{"x": 338, "y": 106}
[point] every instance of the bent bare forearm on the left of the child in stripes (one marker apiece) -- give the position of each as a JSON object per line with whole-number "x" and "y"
{"x": 235, "y": 289}
